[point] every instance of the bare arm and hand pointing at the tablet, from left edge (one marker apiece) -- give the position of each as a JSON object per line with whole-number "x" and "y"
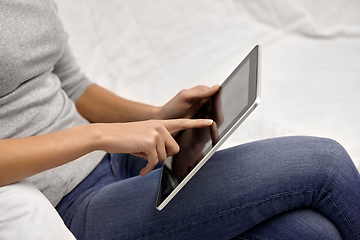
{"x": 152, "y": 140}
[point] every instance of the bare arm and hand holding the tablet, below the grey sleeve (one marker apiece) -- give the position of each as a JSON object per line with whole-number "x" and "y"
{"x": 100, "y": 105}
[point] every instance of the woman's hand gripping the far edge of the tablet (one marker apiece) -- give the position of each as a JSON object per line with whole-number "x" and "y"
{"x": 186, "y": 103}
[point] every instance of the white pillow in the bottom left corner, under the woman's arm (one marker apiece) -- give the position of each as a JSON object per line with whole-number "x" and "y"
{"x": 25, "y": 213}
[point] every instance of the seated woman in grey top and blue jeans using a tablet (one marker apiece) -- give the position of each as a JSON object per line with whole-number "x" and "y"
{"x": 266, "y": 189}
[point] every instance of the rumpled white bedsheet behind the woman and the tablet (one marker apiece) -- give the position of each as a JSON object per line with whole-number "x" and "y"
{"x": 149, "y": 50}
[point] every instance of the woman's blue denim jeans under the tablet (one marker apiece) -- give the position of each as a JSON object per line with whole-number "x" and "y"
{"x": 282, "y": 188}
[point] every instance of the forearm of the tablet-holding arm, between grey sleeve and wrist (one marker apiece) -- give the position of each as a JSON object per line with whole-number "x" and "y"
{"x": 100, "y": 105}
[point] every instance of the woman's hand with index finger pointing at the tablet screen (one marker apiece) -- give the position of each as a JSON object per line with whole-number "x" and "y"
{"x": 151, "y": 139}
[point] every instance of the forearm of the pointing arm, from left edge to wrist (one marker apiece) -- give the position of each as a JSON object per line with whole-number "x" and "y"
{"x": 24, "y": 157}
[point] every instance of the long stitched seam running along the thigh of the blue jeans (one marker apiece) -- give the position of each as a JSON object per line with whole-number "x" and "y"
{"x": 228, "y": 212}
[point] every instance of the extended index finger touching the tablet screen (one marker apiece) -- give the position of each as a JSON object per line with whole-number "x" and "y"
{"x": 175, "y": 125}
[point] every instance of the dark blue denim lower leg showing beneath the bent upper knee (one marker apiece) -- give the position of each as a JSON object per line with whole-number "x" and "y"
{"x": 302, "y": 223}
